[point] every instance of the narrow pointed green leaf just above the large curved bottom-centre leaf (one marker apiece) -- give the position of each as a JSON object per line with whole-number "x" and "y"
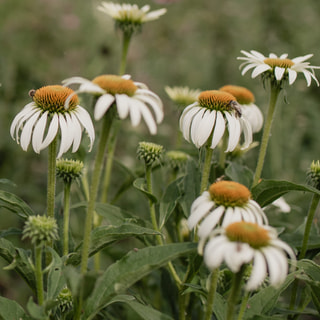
{"x": 104, "y": 235}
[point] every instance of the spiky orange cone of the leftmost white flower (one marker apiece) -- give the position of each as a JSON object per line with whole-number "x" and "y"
{"x": 53, "y": 98}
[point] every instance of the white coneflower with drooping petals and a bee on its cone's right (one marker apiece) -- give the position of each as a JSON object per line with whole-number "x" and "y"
{"x": 205, "y": 121}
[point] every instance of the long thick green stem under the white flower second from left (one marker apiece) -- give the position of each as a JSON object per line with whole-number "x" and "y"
{"x": 106, "y": 124}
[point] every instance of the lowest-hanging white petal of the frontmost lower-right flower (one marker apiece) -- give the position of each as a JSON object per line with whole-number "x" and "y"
{"x": 258, "y": 273}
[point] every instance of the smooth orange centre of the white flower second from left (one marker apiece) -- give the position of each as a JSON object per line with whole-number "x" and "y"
{"x": 115, "y": 84}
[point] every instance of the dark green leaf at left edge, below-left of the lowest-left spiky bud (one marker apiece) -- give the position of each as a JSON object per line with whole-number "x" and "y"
{"x": 19, "y": 261}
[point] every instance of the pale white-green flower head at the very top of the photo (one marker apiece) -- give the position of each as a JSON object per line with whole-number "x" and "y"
{"x": 130, "y": 17}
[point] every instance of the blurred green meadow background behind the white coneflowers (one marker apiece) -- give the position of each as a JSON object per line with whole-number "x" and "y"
{"x": 194, "y": 44}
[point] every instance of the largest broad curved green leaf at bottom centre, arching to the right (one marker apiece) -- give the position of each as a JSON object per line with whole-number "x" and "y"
{"x": 131, "y": 268}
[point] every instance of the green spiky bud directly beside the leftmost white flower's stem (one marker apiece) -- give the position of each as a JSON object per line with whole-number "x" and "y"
{"x": 69, "y": 170}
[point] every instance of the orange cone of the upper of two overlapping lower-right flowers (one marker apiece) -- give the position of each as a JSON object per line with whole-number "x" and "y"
{"x": 229, "y": 194}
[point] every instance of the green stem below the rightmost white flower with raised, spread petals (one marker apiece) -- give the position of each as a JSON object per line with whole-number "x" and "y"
{"x": 275, "y": 90}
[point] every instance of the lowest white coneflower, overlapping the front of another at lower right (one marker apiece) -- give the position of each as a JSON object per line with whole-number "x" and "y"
{"x": 241, "y": 243}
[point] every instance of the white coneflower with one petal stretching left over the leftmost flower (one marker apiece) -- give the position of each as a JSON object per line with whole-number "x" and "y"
{"x": 131, "y": 98}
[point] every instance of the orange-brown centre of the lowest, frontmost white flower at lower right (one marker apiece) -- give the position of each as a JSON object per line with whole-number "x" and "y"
{"x": 251, "y": 233}
